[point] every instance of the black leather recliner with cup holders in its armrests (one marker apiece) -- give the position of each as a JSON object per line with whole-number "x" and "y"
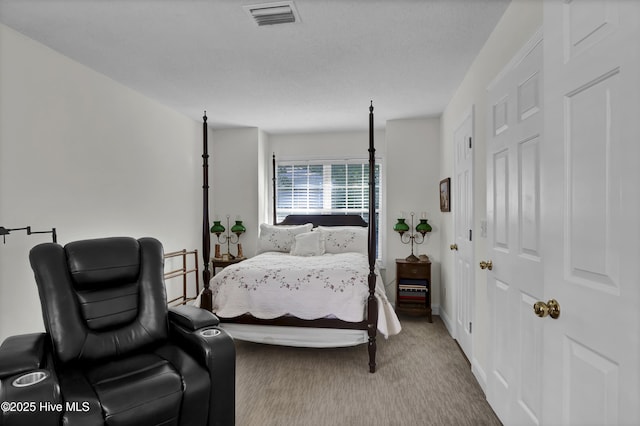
{"x": 113, "y": 353}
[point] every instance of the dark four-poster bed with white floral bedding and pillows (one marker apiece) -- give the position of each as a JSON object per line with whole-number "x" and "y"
{"x": 314, "y": 282}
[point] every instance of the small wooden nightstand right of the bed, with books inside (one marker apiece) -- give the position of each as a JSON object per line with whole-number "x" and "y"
{"x": 413, "y": 287}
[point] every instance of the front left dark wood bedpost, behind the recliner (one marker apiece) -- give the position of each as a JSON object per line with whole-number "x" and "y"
{"x": 205, "y": 299}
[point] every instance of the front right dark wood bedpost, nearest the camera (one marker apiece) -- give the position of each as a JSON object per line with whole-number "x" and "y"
{"x": 372, "y": 302}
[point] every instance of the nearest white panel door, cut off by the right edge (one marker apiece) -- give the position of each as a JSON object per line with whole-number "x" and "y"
{"x": 591, "y": 187}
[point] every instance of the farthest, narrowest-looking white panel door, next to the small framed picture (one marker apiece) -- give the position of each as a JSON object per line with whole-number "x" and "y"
{"x": 463, "y": 248}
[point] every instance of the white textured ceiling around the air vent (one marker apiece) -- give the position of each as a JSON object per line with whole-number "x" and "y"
{"x": 318, "y": 74}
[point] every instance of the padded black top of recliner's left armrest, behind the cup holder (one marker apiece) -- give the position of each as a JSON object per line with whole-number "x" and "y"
{"x": 21, "y": 353}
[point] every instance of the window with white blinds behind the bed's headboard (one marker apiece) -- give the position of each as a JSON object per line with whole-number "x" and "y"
{"x": 326, "y": 187}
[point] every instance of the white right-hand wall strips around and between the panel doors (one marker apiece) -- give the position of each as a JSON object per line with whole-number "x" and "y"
{"x": 519, "y": 22}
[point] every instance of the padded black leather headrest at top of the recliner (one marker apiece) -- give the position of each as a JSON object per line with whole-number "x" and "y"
{"x": 94, "y": 263}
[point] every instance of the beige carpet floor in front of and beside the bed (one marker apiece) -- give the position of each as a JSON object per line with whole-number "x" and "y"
{"x": 422, "y": 378}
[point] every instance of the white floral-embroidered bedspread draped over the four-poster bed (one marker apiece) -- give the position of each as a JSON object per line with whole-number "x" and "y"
{"x": 274, "y": 284}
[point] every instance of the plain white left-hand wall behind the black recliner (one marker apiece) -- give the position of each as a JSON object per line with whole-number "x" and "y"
{"x": 90, "y": 157}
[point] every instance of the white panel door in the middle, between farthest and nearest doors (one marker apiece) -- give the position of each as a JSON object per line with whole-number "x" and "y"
{"x": 514, "y": 283}
